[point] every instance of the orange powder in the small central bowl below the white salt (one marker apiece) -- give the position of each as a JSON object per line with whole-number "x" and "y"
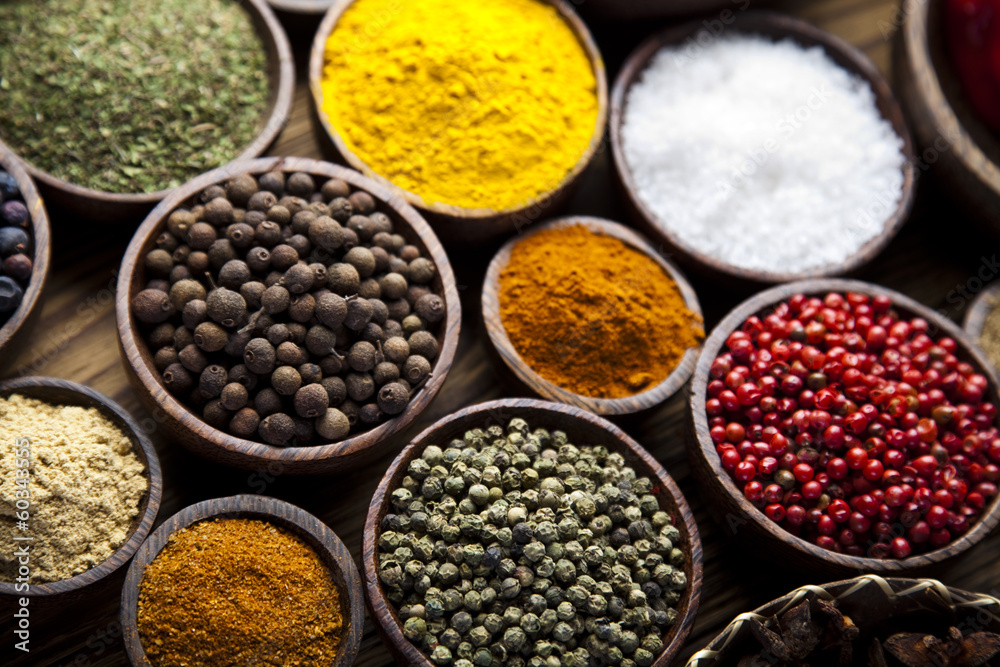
{"x": 593, "y": 315}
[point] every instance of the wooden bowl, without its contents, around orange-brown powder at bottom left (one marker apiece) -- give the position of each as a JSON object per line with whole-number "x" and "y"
{"x": 285, "y": 515}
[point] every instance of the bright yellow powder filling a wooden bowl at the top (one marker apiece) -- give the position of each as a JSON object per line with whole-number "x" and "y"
{"x": 473, "y": 104}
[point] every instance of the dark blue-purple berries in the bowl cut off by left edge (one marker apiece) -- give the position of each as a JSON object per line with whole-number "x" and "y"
{"x": 16, "y": 252}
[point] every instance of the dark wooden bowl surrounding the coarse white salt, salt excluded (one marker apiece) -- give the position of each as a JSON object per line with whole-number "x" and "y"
{"x": 777, "y": 27}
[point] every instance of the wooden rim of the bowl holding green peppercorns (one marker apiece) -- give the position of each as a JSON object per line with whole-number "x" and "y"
{"x": 498, "y": 411}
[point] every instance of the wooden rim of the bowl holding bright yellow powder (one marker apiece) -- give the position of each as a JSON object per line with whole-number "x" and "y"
{"x": 526, "y": 209}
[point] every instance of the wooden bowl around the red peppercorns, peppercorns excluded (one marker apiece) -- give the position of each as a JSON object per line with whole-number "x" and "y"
{"x": 755, "y": 528}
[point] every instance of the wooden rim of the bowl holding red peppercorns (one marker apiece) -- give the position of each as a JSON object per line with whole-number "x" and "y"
{"x": 764, "y": 301}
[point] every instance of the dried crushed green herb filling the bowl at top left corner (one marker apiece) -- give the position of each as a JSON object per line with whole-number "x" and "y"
{"x": 130, "y": 95}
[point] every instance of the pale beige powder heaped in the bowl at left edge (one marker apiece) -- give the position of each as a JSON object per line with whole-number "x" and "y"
{"x": 83, "y": 482}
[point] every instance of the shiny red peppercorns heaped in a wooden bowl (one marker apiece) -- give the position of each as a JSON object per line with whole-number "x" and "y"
{"x": 850, "y": 426}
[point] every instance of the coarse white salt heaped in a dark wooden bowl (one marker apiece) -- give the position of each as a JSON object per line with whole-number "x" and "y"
{"x": 763, "y": 155}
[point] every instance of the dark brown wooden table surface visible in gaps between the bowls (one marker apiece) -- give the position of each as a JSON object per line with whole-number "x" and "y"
{"x": 937, "y": 259}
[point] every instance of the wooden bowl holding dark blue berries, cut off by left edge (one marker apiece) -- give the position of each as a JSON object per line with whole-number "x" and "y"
{"x": 13, "y": 332}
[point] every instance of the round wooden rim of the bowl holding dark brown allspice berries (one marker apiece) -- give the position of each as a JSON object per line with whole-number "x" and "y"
{"x": 132, "y": 343}
